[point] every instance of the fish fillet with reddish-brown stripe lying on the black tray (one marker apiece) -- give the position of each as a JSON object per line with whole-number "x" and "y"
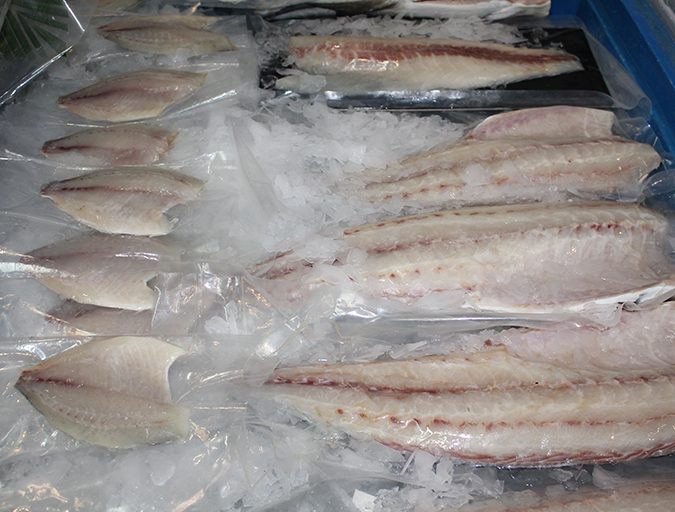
{"x": 423, "y": 63}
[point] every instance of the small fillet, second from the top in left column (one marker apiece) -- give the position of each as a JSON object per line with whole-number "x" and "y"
{"x": 133, "y": 96}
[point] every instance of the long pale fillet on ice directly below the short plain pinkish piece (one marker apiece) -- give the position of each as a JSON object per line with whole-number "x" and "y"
{"x": 510, "y": 171}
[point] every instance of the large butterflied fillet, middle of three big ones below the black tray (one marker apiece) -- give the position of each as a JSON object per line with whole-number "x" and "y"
{"x": 526, "y": 258}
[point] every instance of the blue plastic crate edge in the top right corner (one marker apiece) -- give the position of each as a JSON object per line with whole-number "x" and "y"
{"x": 636, "y": 32}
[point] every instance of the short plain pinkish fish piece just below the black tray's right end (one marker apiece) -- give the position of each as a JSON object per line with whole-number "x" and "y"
{"x": 559, "y": 122}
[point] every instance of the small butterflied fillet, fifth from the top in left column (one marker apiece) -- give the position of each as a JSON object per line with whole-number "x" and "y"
{"x": 103, "y": 270}
